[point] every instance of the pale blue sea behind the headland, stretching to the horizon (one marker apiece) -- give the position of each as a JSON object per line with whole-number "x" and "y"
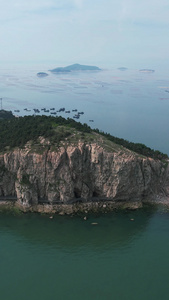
{"x": 129, "y": 104}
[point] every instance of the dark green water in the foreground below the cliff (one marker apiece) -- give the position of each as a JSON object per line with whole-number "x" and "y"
{"x": 124, "y": 256}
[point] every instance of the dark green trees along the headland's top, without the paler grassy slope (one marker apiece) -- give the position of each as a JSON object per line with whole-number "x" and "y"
{"x": 16, "y": 132}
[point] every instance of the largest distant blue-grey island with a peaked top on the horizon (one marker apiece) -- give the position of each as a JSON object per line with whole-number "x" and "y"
{"x": 75, "y": 67}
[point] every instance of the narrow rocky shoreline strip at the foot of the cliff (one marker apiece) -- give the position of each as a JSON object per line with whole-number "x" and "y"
{"x": 77, "y": 208}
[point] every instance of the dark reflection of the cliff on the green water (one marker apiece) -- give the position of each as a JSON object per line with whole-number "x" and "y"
{"x": 100, "y": 232}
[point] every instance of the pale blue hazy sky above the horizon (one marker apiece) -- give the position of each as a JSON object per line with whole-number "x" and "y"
{"x": 127, "y": 33}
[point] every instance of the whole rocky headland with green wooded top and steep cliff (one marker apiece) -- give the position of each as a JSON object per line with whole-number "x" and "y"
{"x": 50, "y": 164}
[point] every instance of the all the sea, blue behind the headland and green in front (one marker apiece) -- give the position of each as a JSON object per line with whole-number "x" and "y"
{"x": 120, "y": 255}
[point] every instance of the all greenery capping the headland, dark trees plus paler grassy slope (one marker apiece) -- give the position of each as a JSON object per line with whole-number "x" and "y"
{"x": 17, "y": 132}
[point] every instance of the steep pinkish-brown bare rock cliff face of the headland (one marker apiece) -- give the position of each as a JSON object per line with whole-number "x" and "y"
{"x": 85, "y": 172}
